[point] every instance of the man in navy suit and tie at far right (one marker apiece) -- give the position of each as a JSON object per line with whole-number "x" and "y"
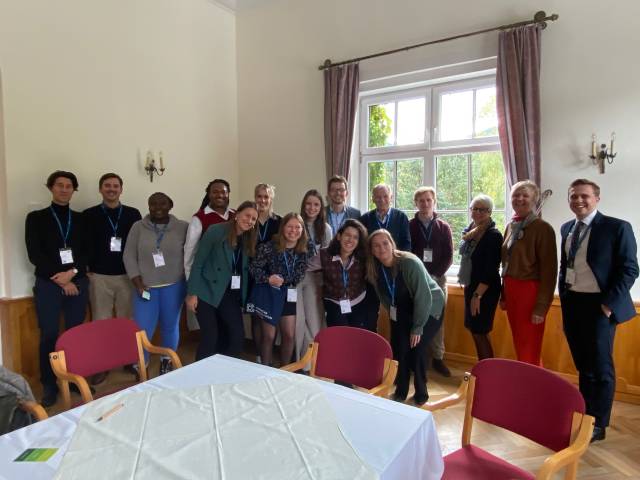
{"x": 598, "y": 266}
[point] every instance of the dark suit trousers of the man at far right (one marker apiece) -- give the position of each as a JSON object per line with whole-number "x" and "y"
{"x": 590, "y": 335}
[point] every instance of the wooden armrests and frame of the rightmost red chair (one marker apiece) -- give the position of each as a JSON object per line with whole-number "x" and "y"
{"x": 581, "y": 430}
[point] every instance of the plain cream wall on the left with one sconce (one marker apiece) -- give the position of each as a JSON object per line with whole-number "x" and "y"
{"x": 90, "y": 85}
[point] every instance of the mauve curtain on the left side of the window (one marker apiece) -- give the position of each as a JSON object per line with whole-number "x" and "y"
{"x": 340, "y": 107}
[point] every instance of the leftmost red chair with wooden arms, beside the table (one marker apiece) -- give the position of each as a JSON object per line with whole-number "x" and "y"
{"x": 99, "y": 346}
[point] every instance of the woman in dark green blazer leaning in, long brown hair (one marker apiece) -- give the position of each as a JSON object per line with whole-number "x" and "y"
{"x": 218, "y": 282}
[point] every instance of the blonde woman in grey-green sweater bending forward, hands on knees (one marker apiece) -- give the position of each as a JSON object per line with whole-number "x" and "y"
{"x": 415, "y": 303}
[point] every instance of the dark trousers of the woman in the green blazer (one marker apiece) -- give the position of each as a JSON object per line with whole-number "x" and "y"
{"x": 221, "y": 328}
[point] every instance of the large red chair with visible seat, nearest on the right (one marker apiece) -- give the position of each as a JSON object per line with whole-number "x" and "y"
{"x": 524, "y": 399}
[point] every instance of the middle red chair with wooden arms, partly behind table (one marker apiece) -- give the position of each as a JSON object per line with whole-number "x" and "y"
{"x": 351, "y": 355}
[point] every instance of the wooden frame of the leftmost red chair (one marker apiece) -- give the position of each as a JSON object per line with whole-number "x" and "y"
{"x": 59, "y": 366}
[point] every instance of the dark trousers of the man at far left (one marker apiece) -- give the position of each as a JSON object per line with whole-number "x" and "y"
{"x": 50, "y": 302}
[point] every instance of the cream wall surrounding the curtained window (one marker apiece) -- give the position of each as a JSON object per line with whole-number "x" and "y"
{"x": 590, "y": 83}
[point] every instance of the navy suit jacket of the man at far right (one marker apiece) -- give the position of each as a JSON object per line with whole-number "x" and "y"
{"x": 612, "y": 257}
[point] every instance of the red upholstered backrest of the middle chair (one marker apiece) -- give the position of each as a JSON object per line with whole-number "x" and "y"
{"x": 352, "y": 355}
